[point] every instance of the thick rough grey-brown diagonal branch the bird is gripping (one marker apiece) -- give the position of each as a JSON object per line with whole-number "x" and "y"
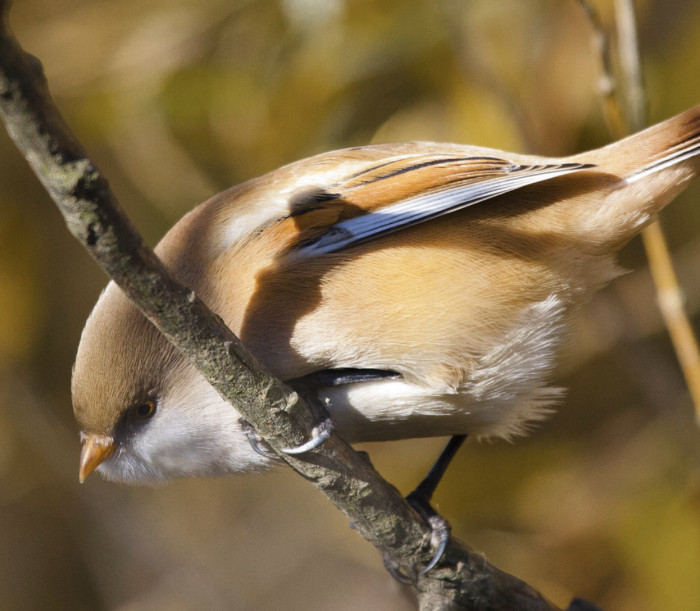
{"x": 462, "y": 579}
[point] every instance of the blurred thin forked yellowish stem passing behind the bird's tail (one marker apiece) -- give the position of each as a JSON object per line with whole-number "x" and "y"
{"x": 624, "y": 102}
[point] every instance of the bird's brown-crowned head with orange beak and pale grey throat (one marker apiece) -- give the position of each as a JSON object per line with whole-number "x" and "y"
{"x": 146, "y": 415}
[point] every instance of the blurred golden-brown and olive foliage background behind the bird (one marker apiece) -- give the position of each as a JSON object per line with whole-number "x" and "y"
{"x": 177, "y": 100}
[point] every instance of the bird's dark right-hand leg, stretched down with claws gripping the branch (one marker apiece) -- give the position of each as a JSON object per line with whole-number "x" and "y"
{"x": 420, "y": 498}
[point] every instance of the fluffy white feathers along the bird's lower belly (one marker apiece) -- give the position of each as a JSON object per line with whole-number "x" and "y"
{"x": 503, "y": 390}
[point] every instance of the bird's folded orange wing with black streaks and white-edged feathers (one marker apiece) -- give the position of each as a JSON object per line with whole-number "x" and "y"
{"x": 406, "y": 190}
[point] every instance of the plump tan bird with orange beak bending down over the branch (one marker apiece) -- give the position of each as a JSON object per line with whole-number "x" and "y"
{"x": 414, "y": 289}
